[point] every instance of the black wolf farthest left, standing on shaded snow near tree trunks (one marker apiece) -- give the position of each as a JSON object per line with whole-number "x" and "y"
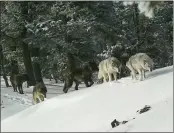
{"x": 17, "y": 81}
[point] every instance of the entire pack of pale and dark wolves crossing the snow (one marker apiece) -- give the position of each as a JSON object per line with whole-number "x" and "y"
{"x": 107, "y": 70}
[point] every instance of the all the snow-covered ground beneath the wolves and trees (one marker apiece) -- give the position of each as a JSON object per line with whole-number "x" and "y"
{"x": 94, "y": 108}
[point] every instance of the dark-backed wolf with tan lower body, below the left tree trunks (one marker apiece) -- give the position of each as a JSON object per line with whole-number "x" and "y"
{"x": 39, "y": 92}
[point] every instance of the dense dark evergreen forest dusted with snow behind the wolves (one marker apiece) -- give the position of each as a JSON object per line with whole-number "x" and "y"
{"x": 37, "y": 37}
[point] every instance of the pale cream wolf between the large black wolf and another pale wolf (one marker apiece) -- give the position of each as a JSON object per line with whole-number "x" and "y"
{"x": 108, "y": 67}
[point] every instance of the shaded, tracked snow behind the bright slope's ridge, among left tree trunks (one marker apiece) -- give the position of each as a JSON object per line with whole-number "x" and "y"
{"x": 13, "y": 102}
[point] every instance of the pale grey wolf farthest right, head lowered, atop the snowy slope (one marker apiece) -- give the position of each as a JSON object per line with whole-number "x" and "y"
{"x": 140, "y": 63}
